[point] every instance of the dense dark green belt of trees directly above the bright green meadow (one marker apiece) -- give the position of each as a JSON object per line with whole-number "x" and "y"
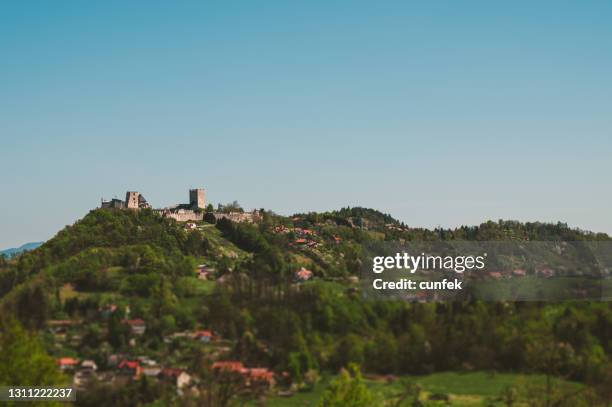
{"x": 330, "y": 331}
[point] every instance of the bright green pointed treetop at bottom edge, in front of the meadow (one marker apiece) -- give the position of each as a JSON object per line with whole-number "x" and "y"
{"x": 348, "y": 390}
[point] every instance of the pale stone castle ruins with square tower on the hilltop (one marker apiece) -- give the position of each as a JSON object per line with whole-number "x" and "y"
{"x": 189, "y": 212}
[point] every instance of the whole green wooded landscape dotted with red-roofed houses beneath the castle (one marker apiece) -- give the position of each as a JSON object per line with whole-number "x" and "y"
{"x": 134, "y": 292}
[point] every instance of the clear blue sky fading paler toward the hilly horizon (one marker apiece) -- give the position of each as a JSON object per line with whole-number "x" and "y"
{"x": 440, "y": 113}
